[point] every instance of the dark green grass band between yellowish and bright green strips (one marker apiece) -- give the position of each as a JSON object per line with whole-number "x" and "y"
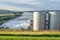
{"x": 32, "y": 35}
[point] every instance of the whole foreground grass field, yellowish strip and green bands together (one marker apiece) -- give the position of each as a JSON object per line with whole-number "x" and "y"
{"x": 6, "y": 35}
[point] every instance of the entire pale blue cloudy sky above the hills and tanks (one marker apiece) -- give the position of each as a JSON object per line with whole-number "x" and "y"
{"x": 29, "y": 5}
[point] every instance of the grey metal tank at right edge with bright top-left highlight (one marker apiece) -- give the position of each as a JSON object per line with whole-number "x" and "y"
{"x": 55, "y": 20}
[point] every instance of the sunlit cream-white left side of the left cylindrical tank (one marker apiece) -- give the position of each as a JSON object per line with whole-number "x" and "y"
{"x": 36, "y": 21}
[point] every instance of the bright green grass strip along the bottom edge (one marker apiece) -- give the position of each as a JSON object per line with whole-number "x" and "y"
{"x": 28, "y": 38}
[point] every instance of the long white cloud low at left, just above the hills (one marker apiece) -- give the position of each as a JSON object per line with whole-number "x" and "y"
{"x": 13, "y": 8}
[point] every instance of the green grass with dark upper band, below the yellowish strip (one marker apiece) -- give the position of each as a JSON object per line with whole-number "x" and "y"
{"x": 29, "y": 37}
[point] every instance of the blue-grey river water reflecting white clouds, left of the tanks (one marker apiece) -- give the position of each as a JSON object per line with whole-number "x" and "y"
{"x": 19, "y": 22}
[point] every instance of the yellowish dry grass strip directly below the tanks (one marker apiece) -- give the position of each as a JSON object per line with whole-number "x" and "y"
{"x": 28, "y": 32}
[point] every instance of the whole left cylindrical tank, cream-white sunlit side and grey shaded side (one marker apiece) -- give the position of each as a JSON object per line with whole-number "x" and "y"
{"x": 38, "y": 20}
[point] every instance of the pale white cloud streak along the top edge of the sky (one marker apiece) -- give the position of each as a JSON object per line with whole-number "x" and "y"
{"x": 30, "y": 2}
